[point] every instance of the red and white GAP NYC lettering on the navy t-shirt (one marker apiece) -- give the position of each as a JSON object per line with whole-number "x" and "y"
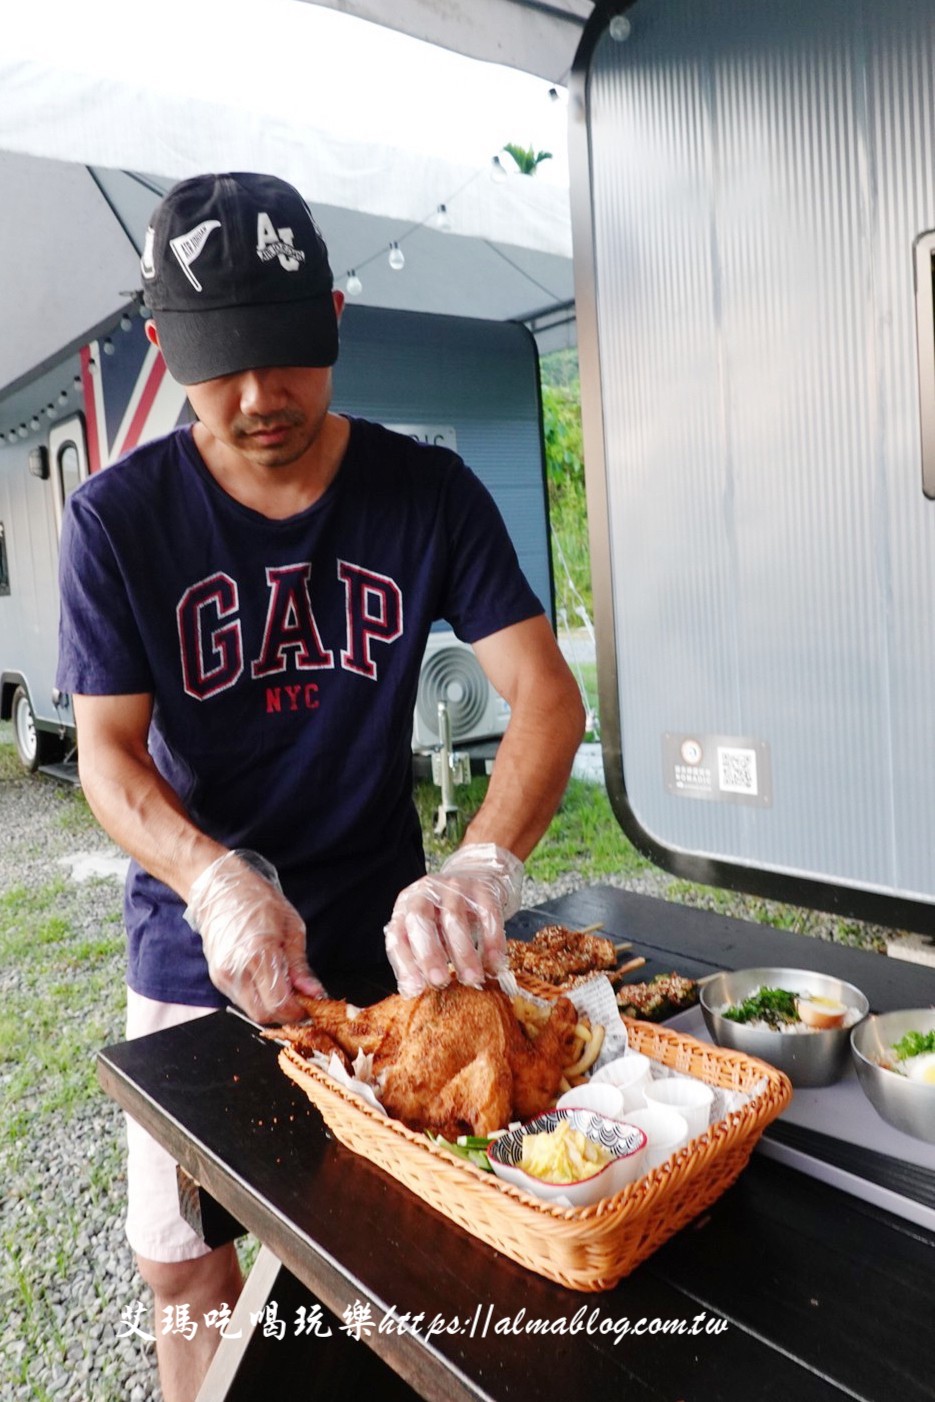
{"x": 212, "y": 641}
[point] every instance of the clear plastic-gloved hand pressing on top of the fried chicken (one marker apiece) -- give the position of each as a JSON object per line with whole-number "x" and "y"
{"x": 455, "y": 918}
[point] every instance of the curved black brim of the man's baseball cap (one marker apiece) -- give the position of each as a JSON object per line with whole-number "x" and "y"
{"x": 207, "y": 346}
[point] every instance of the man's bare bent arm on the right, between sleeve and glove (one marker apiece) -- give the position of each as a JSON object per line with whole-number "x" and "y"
{"x": 536, "y": 755}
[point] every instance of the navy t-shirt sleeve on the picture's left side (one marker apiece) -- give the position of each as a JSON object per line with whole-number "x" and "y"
{"x": 100, "y": 646}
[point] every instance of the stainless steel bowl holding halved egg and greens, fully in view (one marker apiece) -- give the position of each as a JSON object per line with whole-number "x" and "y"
{"x": 808, "y": 1058}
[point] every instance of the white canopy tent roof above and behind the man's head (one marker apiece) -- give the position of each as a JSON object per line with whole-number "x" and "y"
{"x": 376, "y": 128}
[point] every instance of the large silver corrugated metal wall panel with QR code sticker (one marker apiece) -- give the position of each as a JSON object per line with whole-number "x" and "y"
{"x": 759, "y": 176}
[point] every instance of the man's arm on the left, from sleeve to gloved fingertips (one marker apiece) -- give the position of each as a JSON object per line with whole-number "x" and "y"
{"x": 254, "y": 939}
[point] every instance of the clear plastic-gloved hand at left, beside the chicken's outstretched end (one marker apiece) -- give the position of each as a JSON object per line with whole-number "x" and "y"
{"x": 254, "y": 939}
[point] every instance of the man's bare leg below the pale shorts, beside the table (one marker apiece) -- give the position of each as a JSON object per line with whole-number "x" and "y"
{"x": 198, "y": 1286}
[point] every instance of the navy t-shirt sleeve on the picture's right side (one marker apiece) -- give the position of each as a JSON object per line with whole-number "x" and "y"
{"x": 487, "y": 590}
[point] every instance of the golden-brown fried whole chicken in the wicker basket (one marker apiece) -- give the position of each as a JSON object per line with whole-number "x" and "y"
{"x": 453, "y": 1061}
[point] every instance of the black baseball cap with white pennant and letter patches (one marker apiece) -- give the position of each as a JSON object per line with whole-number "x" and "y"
{"x": 238, "y": 275}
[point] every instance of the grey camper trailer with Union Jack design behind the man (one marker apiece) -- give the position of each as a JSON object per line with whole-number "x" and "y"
{"x": 467, "y": 383}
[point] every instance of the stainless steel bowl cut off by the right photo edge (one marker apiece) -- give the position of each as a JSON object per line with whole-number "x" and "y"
{"x": 906, "y": 1105}
